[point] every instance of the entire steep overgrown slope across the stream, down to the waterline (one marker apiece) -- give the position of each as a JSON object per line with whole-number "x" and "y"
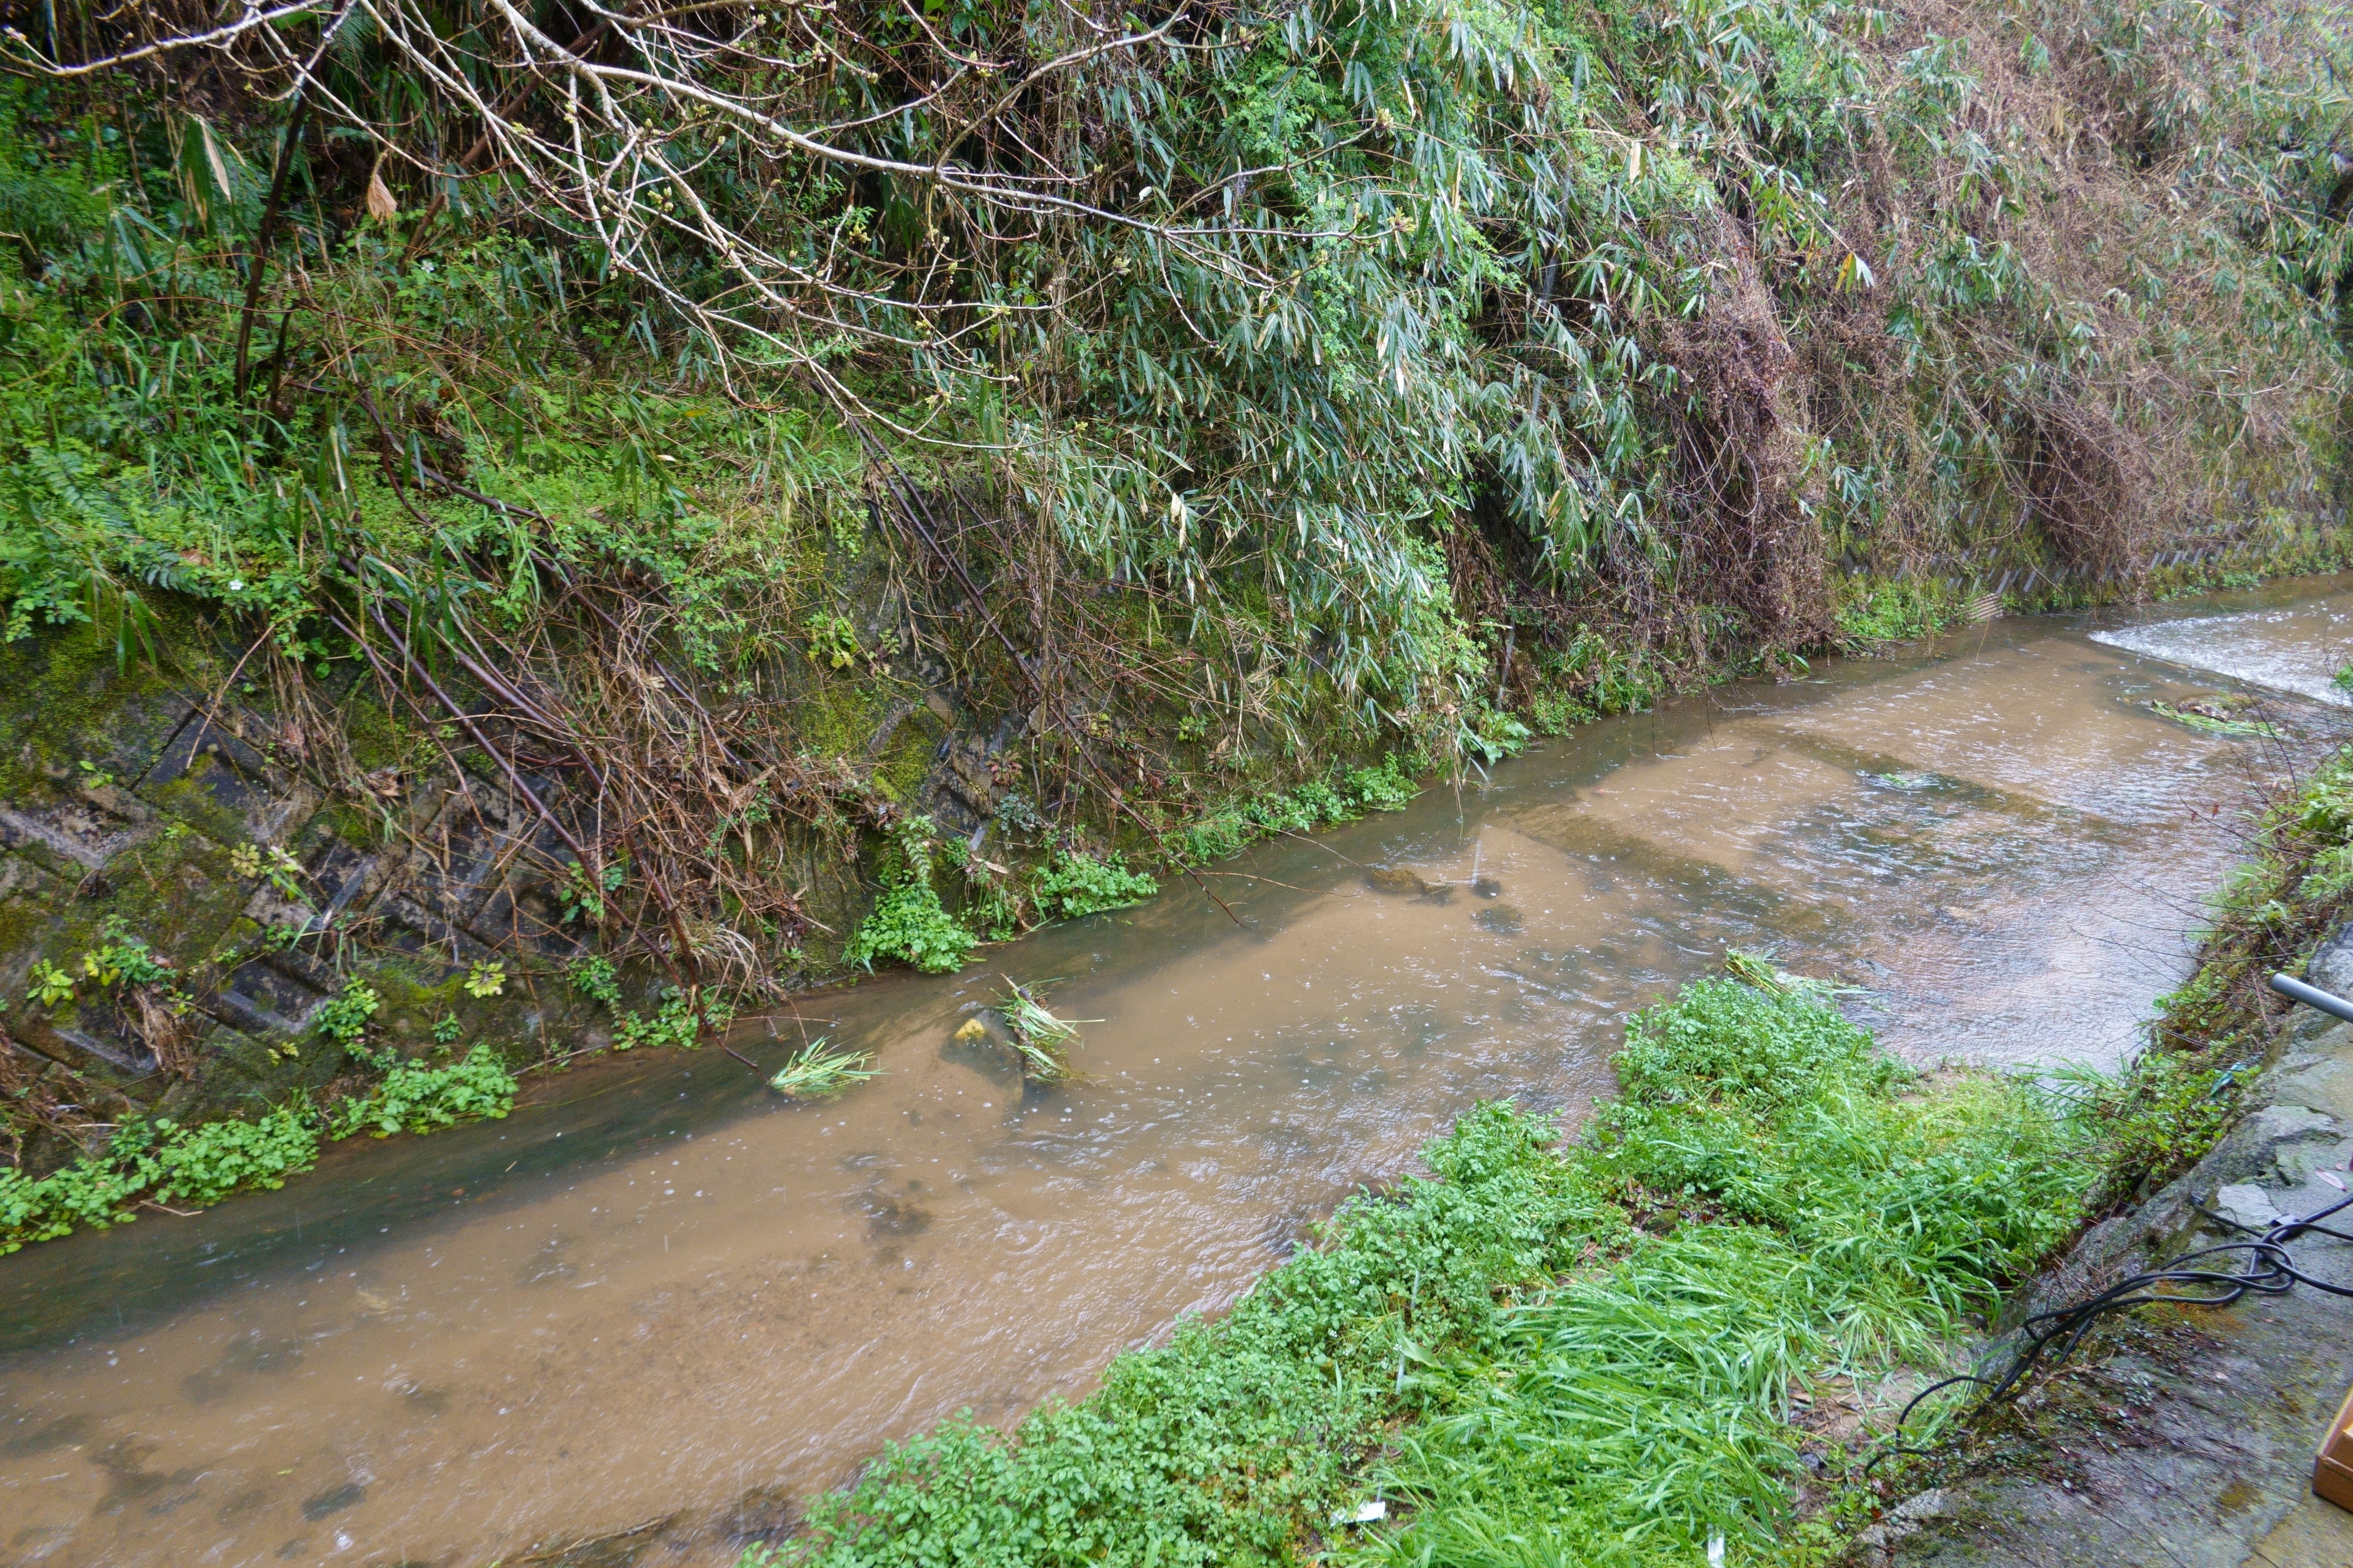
{"x": 695, "y": 497}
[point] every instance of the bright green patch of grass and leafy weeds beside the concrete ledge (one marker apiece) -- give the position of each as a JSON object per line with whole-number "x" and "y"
{"x": 1533, "y": 1348}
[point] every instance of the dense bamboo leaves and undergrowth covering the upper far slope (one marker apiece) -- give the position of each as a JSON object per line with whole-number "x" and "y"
{"x": 1349, "y": 274}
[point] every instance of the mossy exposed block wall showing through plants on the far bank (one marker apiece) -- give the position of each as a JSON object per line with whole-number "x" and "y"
{"x": 168, "y": 803}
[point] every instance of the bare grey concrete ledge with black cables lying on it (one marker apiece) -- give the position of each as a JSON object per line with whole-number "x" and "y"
{"x": 2180, "y": 1438}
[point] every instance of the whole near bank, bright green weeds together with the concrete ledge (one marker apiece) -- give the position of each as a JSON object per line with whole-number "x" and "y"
{"x": 1688, "y": 1332}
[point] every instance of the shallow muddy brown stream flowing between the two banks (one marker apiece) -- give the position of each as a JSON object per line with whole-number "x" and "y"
{"x": 662, "y": 1296}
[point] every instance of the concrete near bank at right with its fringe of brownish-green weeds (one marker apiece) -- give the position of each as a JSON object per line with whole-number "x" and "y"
{"x": 2187, "y": 1435}
